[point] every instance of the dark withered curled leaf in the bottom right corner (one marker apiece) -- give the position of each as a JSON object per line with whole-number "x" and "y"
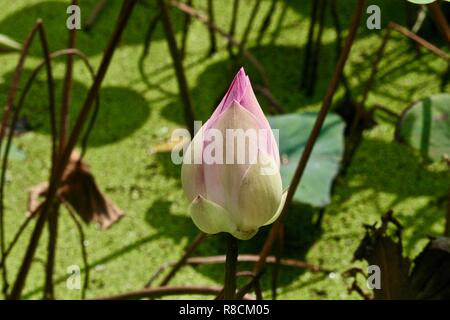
{"x": 430, "y": 277}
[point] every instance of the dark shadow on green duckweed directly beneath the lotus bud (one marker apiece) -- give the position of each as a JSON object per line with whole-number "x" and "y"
{"x": 299, "y": 222}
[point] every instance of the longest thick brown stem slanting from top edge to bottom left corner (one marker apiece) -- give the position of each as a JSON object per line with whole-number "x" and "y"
{"x": 61, "y": 165}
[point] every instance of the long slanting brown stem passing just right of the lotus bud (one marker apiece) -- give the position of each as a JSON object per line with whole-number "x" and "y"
{"x": 314, "y": 134}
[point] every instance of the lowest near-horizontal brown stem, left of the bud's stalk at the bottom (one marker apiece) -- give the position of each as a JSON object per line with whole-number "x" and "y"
{"x": 167, "y": 291}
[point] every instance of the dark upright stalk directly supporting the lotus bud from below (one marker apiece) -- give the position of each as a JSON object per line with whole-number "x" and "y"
{"x": 230, "y": 268}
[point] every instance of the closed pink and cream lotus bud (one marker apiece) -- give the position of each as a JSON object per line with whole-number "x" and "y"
{"x": 230, "y": 170}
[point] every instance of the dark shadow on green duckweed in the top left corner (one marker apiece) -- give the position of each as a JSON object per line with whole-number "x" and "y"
{"x": 54, "y": 16}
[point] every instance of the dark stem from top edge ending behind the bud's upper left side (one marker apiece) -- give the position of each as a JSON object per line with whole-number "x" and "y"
{"x": 189, "y": 115}
